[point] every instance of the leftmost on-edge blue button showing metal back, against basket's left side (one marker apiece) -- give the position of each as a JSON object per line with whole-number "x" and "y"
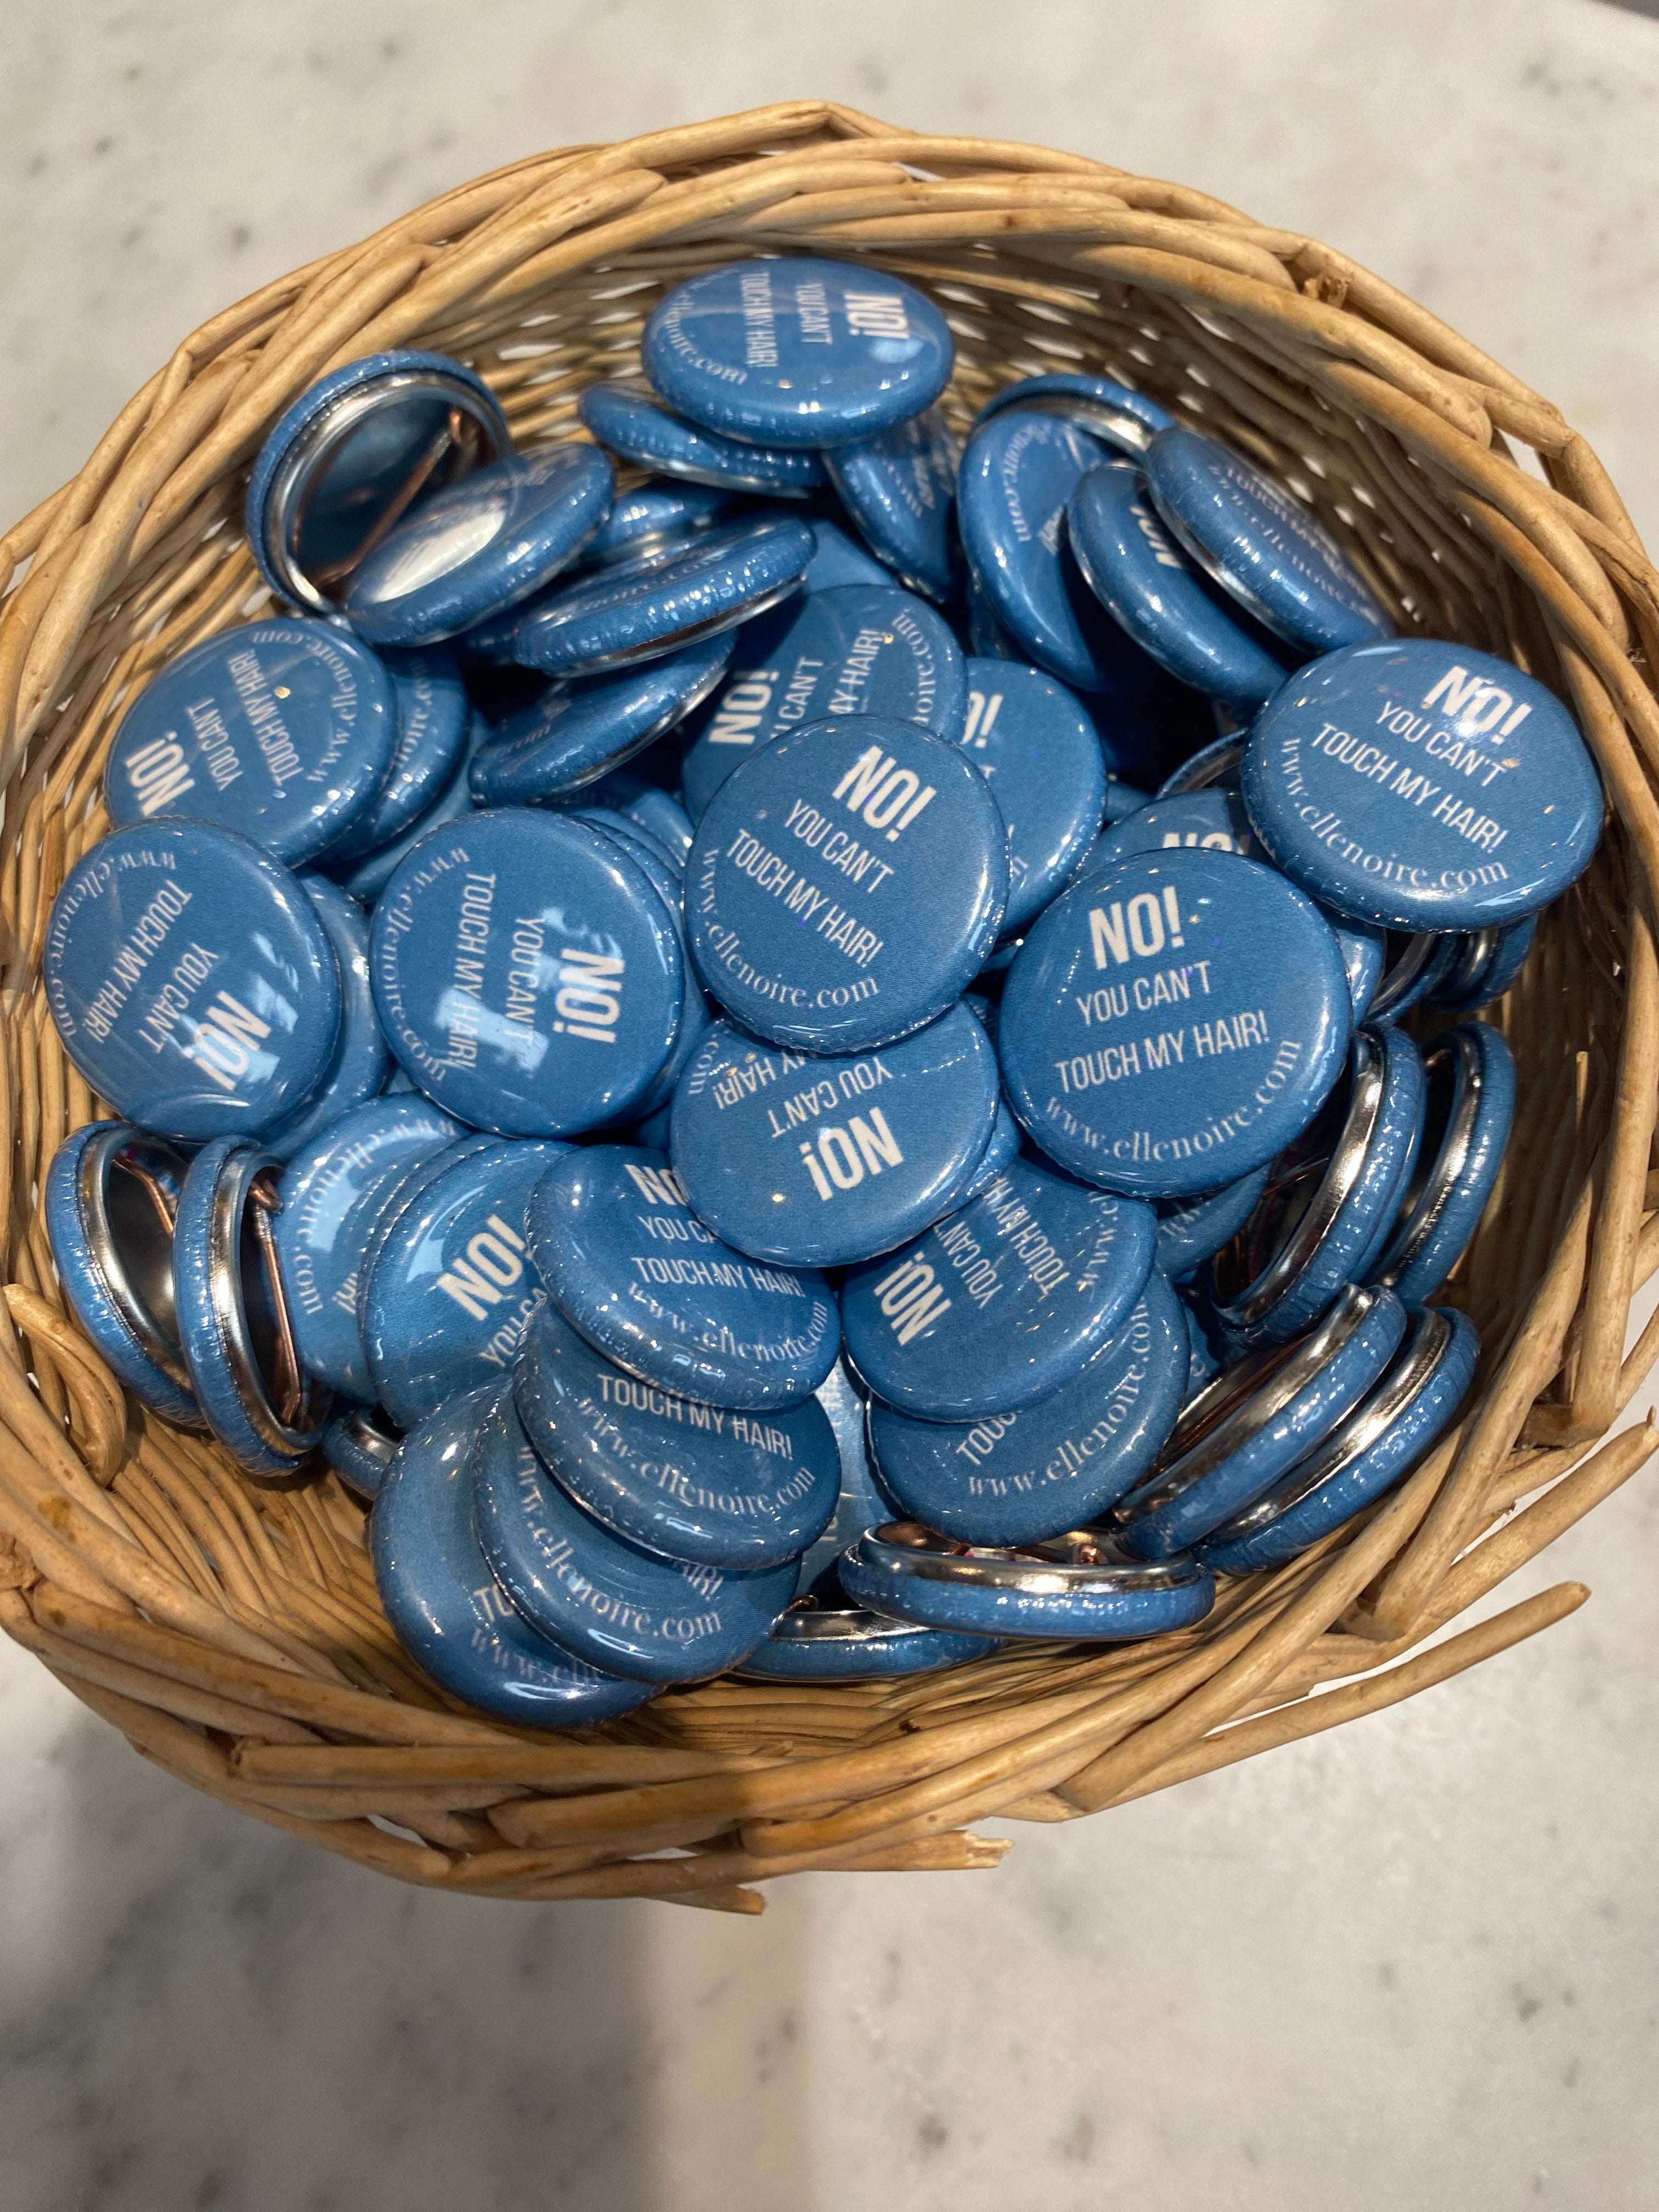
{"x": 109, "y": 1204}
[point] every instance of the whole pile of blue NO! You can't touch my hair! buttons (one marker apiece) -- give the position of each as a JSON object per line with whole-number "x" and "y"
{"x": 800, "y": 1067}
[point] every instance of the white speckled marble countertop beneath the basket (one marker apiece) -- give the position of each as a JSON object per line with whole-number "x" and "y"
{"x": 1408, "y": 1965}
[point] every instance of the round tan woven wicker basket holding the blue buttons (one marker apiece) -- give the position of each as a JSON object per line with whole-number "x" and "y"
{"x": 233, "y": 1634}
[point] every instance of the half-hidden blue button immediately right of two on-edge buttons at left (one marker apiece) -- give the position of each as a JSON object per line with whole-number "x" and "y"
{"x": 331, "y": 1193}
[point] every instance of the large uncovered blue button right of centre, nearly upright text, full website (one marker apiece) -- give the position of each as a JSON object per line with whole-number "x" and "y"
{"x": 1173, "y": 1023}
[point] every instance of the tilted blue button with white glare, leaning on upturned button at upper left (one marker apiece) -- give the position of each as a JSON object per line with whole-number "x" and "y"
{"x": 479, "y": 547}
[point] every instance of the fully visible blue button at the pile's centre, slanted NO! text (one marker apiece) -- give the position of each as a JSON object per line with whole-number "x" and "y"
{"x": 846, "y": 884}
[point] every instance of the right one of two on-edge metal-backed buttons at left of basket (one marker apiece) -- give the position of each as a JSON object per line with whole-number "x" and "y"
{"x": 233, "y": 1311}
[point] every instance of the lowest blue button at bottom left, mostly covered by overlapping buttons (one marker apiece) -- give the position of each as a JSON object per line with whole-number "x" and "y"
{"x": 448, "y": 1609}
